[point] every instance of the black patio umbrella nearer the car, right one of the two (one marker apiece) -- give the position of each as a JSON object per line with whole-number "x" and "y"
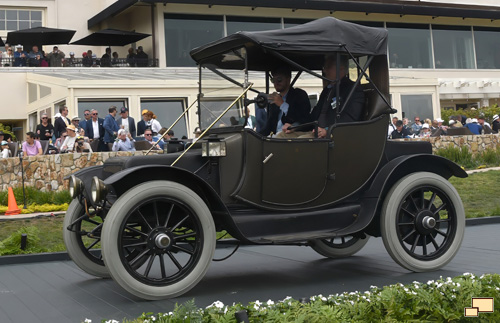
{"x": 111, "y": 37}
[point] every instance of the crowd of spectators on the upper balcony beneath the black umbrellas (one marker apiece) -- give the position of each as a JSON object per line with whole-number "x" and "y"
{"x": 19, "y": 56}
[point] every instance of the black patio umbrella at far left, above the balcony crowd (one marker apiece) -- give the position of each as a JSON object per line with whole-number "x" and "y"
{"x": 40, "y": 36}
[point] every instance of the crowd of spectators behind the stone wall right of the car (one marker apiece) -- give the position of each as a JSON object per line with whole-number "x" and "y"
{"x": 477, "y": 126}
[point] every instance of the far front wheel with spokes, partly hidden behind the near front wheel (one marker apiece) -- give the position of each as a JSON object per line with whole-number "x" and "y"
{"x": 82, "y": 240}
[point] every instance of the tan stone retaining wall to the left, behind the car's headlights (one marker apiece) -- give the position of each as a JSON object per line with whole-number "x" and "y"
{"x": 46, "y": 172}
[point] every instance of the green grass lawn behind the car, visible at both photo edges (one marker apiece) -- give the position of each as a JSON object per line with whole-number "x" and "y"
{"x": 480, "y": 194}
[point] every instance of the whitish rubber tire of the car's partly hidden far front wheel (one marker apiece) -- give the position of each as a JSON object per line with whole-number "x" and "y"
{"x": 72, "y": 240}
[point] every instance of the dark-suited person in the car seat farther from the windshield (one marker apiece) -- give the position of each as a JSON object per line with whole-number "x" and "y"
{"x": 325, "y": 112}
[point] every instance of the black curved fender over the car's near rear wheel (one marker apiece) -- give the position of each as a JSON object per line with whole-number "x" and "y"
{"x": 397, "y": 169}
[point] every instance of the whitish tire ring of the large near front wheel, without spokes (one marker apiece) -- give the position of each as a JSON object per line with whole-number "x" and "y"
{"x": 117, "y": 215}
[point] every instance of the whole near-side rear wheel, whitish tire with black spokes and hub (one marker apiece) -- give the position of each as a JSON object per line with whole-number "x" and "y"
{"x": 422, "y": 222}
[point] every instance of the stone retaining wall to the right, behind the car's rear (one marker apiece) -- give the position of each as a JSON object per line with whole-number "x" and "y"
{"x": 475, "y": 144}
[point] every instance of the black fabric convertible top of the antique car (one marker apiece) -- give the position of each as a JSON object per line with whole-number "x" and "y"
{"x": 302, "y": 43}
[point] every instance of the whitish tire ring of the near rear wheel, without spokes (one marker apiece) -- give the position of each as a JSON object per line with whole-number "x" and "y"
{"x": 389, "y": 215}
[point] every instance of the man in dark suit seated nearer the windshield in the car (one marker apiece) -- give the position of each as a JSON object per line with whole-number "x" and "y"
{"x": 288, "y": 106}
